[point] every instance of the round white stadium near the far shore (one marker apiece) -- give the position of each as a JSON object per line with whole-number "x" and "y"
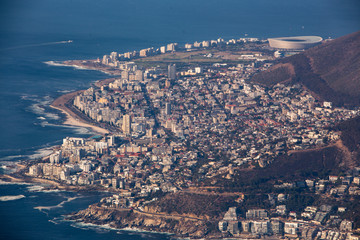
{"x": 296, "y": 43}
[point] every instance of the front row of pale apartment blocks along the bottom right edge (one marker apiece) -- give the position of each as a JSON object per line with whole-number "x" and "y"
{"x": 257, "y": 223}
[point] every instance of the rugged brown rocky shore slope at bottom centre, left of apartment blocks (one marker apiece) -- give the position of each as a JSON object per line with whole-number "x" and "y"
{"x": 181, "y": 227}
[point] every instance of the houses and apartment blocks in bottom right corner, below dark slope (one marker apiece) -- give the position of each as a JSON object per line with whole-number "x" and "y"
{"x": 312, "y": 222}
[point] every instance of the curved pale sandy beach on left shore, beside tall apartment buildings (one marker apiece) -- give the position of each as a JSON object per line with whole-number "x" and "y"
{"x": 72, "y": 118}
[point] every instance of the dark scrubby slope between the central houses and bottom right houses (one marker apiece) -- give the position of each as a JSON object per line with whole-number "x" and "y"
{"x": 294, "y": 167}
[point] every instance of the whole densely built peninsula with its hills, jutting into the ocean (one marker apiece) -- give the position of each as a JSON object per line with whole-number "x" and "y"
{"x": 215, "y": 139}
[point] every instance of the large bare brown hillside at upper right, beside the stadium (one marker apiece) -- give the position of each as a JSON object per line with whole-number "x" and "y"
{"x": 330, "y": 70}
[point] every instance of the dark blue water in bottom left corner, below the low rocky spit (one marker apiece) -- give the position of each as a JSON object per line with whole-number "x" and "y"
{"x": 38, "y": 215}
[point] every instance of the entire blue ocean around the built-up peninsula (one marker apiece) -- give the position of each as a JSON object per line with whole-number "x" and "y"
{"x": 32, "y": 32}
